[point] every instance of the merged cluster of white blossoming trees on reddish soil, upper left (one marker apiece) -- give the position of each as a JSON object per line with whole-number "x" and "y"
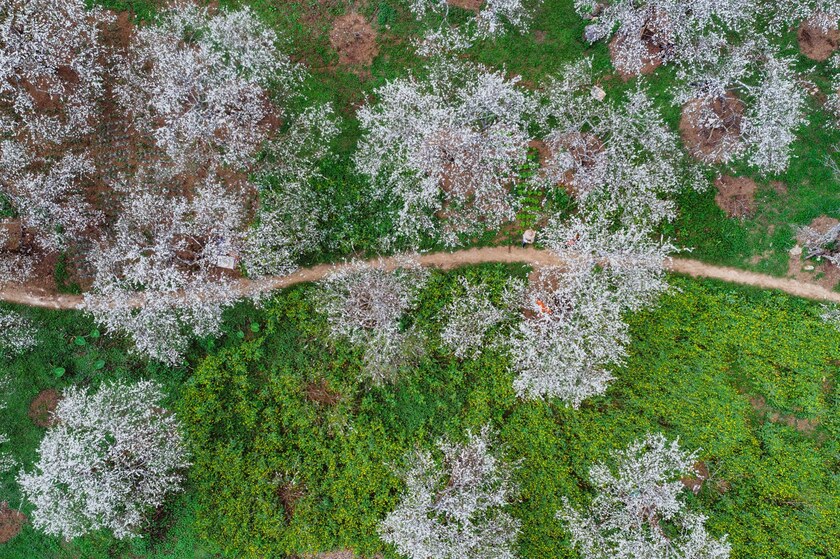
{"x": 135, "y": 145}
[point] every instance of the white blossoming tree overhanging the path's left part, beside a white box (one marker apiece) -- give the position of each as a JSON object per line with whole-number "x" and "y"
{"x": 157, "y": 275}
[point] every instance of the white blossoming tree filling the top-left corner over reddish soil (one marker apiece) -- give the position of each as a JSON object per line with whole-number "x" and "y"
{"x": 51, "y": 66}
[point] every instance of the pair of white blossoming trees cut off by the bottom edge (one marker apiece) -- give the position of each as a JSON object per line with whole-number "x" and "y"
{"x": 453, "y": 507}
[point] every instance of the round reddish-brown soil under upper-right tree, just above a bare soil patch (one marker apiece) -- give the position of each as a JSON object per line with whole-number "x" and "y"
{"x": 705, "y": 143}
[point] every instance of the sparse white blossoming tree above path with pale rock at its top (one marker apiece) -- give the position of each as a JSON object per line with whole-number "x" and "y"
{"x": 619, "y": 157}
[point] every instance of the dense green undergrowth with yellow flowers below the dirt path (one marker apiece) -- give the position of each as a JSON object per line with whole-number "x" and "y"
{"x": 292, "y": 453}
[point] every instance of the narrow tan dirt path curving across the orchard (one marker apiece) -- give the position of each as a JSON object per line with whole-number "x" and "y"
{"x": 448, "y": 260}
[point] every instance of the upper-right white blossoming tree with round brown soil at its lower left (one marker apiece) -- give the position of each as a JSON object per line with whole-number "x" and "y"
{"x": 741, "y": 102}
